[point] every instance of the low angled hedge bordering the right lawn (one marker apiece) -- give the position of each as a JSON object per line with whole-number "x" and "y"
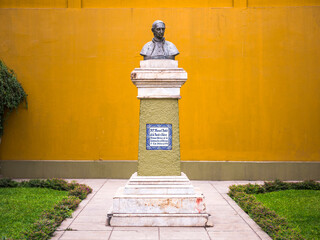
{"x": 275, "y": 226}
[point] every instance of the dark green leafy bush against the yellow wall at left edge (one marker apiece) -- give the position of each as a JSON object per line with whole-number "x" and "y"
{"x": 11, "y": 93}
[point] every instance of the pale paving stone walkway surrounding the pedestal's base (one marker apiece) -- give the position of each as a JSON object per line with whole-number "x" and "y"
{"x": 230, "y": 222}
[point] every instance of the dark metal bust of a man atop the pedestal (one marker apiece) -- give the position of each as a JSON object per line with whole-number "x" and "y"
{"x": 159, "y": 48}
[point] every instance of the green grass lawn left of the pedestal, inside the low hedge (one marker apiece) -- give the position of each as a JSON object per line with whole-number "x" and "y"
{"x": 20, "y": 207}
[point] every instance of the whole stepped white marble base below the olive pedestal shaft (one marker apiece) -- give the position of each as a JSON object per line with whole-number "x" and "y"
{"x": 158, "y": 201}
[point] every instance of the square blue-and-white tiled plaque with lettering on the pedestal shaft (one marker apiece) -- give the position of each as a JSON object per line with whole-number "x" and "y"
{"x": 159, "y": 137}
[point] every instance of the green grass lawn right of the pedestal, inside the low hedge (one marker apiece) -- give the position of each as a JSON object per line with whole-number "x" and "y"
{"x": 300, "y": 207}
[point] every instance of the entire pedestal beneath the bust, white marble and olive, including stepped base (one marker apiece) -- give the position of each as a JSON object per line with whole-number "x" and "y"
{"x": 159, "y": 194}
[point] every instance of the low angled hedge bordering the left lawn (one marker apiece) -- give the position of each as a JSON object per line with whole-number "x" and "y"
{"x": 51, "y": 219}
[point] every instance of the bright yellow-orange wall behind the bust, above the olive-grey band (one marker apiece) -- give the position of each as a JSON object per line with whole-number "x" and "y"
{"x": 252, "y": 92}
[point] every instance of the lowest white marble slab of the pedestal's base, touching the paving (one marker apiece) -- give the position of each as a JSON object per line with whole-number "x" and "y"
{"x": 158, "y": 220}
